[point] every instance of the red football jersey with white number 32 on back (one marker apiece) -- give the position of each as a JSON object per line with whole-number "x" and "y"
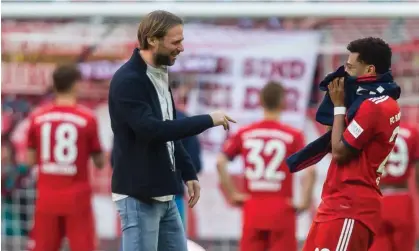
{"x": 264, "y": 147}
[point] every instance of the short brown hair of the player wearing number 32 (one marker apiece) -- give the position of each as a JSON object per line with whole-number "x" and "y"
{"x": 271, "y": 95}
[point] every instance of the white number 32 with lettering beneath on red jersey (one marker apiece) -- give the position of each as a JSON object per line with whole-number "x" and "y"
{"x": 264, "y": 176}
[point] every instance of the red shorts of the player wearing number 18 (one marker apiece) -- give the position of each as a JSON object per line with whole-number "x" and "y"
{"x": 50, "y": 229}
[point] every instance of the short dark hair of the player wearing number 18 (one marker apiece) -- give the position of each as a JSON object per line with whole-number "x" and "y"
{"x": 64, "y": 77}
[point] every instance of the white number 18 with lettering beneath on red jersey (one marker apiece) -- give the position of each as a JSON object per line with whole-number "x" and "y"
{"x": 60, "y": 157}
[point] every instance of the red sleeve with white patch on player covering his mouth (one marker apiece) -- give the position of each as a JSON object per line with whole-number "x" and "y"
{"x": 361, "y": 129}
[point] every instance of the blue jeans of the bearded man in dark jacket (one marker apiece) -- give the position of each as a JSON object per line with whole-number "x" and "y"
{"x": 151, "y": 227}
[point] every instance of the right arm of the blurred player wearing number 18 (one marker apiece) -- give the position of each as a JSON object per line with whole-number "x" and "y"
{"x": 95, "y": 147}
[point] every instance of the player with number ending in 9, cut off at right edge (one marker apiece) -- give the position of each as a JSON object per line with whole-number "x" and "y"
{"x": 397, "y": 231}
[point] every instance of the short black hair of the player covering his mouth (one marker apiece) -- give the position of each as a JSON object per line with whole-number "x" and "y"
{"x": 373, "y": 51}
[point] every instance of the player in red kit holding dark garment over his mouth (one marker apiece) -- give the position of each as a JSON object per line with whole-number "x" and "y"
{"x": 350, "y": 211}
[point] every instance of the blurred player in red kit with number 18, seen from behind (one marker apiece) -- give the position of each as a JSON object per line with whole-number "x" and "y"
{"x": 61, "y": 138}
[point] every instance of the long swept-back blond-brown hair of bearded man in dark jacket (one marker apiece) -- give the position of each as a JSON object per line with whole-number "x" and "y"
{"x": 156, "y": 24}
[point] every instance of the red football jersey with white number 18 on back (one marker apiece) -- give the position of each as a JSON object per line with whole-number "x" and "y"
{"x": 64, "y": 137}
